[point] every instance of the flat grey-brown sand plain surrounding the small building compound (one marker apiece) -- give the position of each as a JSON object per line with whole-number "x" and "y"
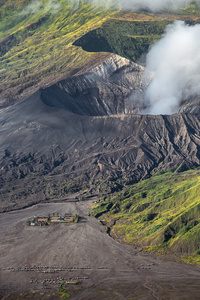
{"x": 113, "y": 270}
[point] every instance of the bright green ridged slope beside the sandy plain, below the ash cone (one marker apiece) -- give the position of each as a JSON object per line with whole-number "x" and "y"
{"x": 161, "y": 214}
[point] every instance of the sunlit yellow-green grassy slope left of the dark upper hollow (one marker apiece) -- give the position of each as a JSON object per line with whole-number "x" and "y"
{"x": 41, "y": 44}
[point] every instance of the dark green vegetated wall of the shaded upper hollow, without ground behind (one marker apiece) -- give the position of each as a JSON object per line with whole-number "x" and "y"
{"x": 129, "y": 39}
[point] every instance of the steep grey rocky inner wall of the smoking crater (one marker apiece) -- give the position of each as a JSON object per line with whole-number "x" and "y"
{"x": 105, "y": 90}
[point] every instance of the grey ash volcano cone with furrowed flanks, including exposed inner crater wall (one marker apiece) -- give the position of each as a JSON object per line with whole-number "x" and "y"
{"x": 48, "y": 149}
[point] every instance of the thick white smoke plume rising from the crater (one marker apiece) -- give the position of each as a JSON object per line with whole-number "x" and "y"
{"x": 174, "y": 63}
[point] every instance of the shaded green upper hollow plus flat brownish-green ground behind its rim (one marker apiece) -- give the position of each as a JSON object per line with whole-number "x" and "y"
{"x": 131, "y": 34}
